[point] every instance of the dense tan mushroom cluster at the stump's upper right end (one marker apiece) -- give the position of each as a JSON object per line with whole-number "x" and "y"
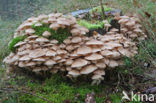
{"x": 130, "y": 27}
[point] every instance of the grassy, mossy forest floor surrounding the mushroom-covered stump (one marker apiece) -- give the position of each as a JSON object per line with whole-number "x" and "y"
{"x": 138, "y": 74}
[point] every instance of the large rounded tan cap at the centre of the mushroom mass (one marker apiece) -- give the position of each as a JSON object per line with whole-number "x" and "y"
{"x": 84, "y": 50}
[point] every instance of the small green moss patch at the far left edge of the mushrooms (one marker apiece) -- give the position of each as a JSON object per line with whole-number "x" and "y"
{"x": 15, "y": 41}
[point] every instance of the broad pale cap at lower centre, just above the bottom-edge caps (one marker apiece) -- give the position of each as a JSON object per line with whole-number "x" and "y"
{"x": 79, "y": 63}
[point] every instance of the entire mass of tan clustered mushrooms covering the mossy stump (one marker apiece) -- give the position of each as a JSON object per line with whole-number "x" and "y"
{"x": 78, "y": 54}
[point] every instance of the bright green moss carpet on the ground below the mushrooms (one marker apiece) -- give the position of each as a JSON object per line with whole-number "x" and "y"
{"x": 57, "y": 90}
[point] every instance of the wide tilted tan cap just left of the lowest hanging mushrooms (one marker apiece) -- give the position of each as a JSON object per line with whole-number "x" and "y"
{"x": 88, "y": 69}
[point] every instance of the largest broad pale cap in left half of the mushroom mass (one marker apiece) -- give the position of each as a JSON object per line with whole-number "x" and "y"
{"x": 37, "y": 53}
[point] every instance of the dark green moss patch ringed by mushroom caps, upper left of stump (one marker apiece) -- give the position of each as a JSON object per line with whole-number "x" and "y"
{"x": 60, "y": 34}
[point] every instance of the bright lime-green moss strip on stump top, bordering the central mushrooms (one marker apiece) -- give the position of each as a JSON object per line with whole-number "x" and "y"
{"x": 89, "y": 25}
